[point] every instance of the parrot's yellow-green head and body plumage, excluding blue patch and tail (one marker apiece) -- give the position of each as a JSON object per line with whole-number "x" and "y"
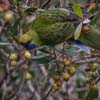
{"x": 50, "y": 27}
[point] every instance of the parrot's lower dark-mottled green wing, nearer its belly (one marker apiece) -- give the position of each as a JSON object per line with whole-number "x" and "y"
{"x": 56, "y": 33}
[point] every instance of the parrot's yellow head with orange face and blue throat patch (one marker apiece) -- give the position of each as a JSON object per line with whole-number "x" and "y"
{"x": 29, "y": 40}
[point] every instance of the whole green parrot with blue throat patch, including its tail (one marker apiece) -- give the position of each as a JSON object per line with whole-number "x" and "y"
{"x": 55, "y": 26}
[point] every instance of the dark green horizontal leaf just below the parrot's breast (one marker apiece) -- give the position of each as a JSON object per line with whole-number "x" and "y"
{"x": 42, "y": 58}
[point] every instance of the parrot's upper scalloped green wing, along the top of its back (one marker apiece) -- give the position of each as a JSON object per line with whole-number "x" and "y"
{"x": 51, "y": 16}
